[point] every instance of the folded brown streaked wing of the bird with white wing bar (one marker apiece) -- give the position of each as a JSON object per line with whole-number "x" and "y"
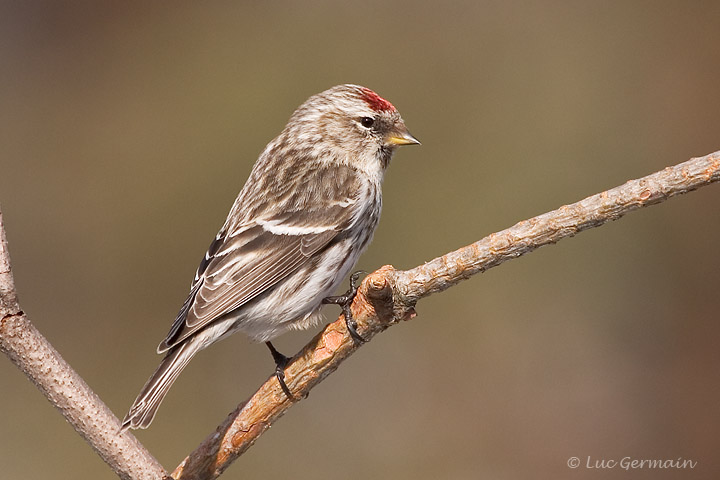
{"x": 264, "y": 242}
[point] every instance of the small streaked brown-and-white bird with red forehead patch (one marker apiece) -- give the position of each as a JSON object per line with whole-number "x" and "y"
{"x": 307, "y": 211}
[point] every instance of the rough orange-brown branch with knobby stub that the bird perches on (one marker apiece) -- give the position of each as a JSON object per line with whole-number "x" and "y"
{"x": 388, "y": 296}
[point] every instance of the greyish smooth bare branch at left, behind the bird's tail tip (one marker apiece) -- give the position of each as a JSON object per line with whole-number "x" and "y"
{"x": 64, "y": 388}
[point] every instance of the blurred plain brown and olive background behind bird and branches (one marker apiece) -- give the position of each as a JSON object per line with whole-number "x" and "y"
{"x": 127, "y": 131}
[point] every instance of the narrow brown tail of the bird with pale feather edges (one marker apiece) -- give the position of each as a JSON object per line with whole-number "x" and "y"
{"x": 145, "y": 406}
